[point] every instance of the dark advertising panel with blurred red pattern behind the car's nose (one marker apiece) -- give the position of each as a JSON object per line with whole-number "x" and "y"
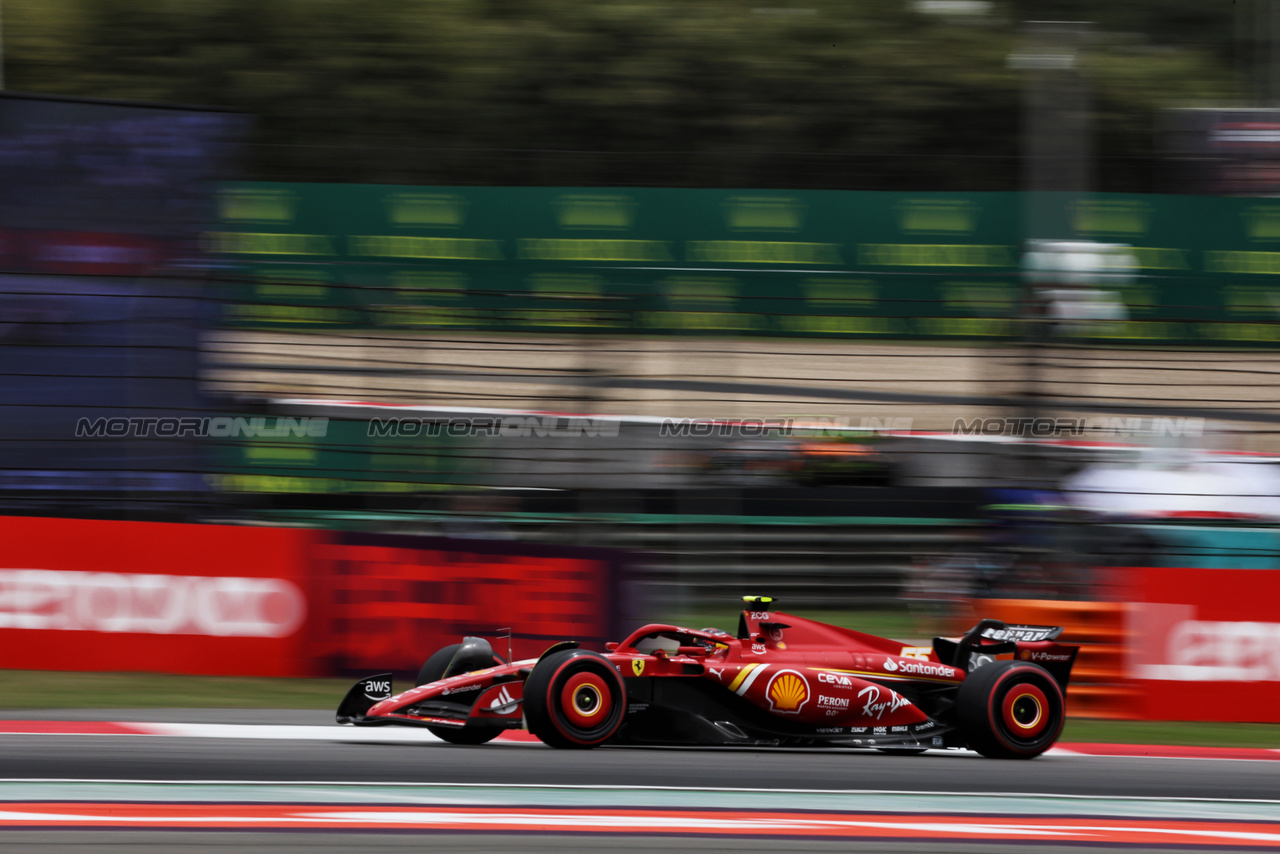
{"x": 388, "y": 602}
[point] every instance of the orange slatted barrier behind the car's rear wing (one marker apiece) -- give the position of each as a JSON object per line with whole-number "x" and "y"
{"x": 1100, "y": 687}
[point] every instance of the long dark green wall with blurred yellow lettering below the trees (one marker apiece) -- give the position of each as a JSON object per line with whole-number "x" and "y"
{"x": 927, "y": 266}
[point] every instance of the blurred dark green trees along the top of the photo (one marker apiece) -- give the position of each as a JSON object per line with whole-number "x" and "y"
{"x": 705, "y": 93}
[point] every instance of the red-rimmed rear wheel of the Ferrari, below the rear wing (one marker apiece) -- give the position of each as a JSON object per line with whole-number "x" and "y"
{"x": 1011, "y": 710}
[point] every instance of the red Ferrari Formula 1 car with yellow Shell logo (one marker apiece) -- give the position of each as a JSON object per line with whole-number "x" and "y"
{"x": 783, "y": 681}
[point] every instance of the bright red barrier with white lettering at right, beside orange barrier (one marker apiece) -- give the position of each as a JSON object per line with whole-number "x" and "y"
{"x": 1205, "y": 645}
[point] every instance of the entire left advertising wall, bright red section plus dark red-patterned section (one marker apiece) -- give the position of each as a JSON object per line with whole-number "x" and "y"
{"x": 217, "y": 600}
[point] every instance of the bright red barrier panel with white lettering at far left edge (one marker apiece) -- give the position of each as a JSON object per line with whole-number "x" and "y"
{"x": 103, "y": 596}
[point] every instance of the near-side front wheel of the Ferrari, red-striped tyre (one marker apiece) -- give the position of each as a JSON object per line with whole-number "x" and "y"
{"x": 575, "y": 700}
